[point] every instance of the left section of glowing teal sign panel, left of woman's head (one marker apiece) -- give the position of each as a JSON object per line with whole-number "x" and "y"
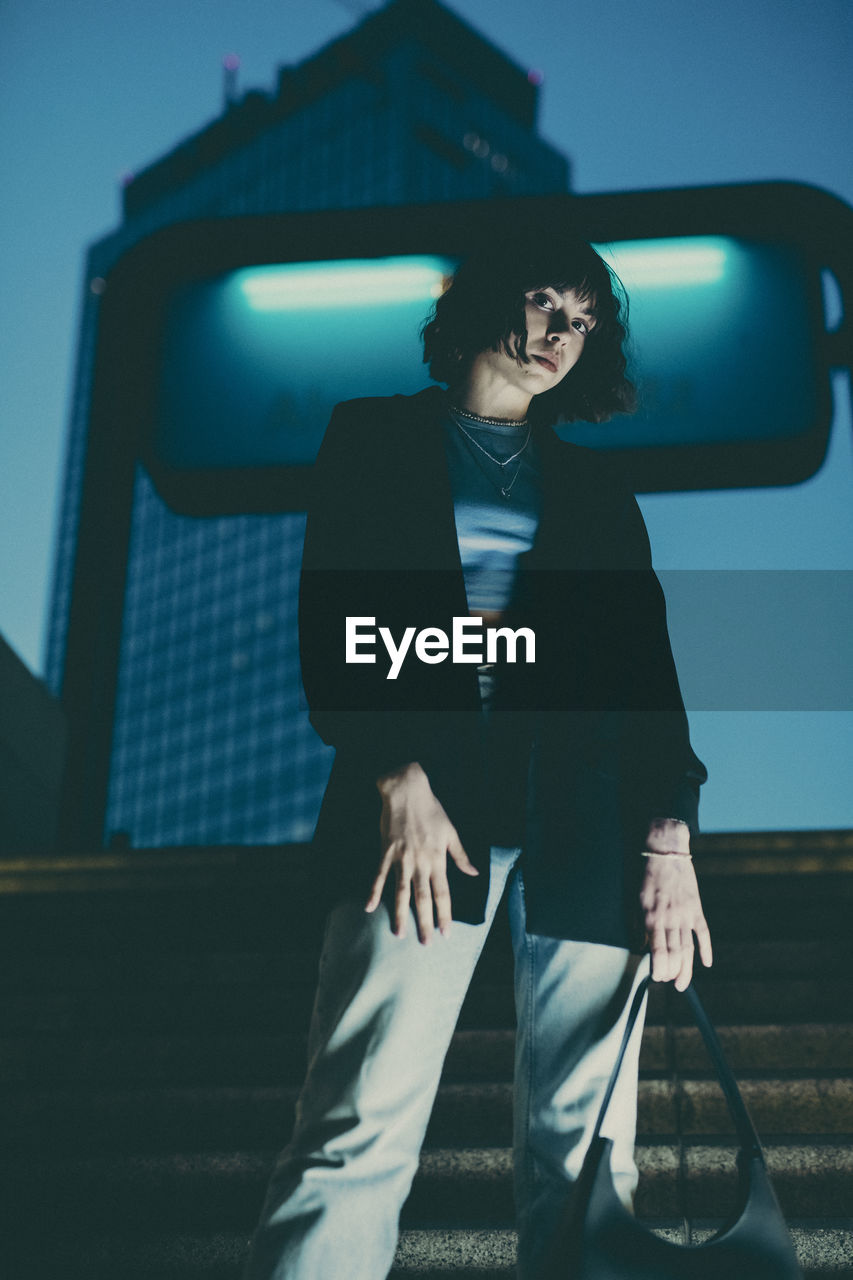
{"x": 256, "y": 362}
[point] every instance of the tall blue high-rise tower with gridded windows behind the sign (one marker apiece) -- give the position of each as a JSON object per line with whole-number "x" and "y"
{"x": 211, "y": 744}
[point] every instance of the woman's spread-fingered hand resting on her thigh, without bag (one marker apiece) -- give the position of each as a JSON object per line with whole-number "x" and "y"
{"x": 417, "y": 838}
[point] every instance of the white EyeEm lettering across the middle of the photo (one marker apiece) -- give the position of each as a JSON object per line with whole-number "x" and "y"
{"x": 434, "y": 646}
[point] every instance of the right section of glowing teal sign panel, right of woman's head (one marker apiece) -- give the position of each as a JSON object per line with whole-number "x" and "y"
{"x": 722, "y": 345}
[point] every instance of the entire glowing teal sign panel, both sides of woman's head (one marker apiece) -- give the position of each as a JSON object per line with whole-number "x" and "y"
{"x": 254, "y": 362}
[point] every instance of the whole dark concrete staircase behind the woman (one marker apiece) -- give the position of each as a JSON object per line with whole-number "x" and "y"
{"x": 153, "y": 1041}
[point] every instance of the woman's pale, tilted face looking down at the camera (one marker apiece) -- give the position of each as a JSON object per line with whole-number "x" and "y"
{"x": 558, "y": 326}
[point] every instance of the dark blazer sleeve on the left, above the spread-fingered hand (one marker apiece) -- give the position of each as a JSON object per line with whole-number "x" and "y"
{"x": 341, "y": 579}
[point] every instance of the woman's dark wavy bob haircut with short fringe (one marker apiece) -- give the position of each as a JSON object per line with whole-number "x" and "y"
{"x": 483, "y": 310}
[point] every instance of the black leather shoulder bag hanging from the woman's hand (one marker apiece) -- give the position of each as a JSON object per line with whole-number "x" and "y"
{"x": 600, "y": 1240}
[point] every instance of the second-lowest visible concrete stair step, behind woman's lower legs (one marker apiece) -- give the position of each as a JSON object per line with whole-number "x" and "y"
{"x": 454, "y": 1188}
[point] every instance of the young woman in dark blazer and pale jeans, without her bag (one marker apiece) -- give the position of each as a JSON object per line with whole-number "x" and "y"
{"x": 554, "y": 764}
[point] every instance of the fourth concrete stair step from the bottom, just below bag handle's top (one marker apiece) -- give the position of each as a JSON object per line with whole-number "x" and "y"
{"x": 482, "y": 1055}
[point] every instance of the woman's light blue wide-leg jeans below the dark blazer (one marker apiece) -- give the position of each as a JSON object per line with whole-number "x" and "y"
{"x": 384, "y": 1020}
